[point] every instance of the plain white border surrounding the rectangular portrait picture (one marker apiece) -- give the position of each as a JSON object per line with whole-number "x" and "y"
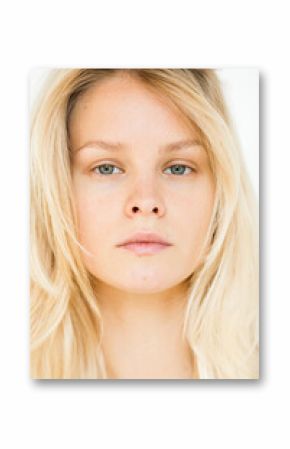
{"x": 168, "y": 414}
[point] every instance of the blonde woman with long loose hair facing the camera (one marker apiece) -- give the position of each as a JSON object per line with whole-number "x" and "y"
{"x": 143, "y": 230}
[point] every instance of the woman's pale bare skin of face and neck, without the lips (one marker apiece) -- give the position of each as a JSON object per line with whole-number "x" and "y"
{"x": 142, "y": 298}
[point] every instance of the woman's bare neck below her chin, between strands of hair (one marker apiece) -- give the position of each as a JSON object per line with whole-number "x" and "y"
{"x": 143, "y": 333}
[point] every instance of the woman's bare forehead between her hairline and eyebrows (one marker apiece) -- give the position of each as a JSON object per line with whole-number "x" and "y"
{"x": 123, "y": 108}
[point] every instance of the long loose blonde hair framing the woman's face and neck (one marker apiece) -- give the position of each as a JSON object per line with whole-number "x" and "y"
{"x": 221, "y": 317}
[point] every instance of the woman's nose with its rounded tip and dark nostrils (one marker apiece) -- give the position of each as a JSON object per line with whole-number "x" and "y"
{"x": 145, "y": 201}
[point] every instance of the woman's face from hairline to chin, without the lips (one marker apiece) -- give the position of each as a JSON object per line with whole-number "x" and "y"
{"x": 142, "y": 183}
